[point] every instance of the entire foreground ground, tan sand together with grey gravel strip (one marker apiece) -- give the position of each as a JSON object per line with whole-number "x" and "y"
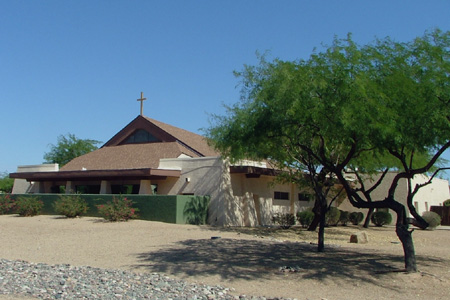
{"x": 50, "y": 257}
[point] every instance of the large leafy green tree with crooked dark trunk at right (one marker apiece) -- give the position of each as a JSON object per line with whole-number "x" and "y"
{"x": 372, "y": 108}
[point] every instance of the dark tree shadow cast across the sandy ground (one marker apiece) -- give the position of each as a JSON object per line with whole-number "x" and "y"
{"x": 252, "y": 259}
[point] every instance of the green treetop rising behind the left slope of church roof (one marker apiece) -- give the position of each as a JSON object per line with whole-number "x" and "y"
{"x": 68, "y": 147}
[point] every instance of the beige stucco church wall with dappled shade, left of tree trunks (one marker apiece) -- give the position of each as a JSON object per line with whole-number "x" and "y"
{"x": 235, "y": 199}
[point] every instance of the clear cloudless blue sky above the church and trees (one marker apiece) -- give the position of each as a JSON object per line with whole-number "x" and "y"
{"x": 78, "y": 66}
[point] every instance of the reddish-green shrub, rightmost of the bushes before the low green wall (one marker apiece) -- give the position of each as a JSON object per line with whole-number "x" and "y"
{"x": 119, "y": 209}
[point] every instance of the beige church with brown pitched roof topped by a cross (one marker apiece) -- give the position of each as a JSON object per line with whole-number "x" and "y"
{"x": 151, "y": 157}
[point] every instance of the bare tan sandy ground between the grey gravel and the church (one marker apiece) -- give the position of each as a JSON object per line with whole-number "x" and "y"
{"x": 246, "y": 259}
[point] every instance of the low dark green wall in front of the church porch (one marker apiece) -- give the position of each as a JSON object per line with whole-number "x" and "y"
{"x": 178, "y": 209}
